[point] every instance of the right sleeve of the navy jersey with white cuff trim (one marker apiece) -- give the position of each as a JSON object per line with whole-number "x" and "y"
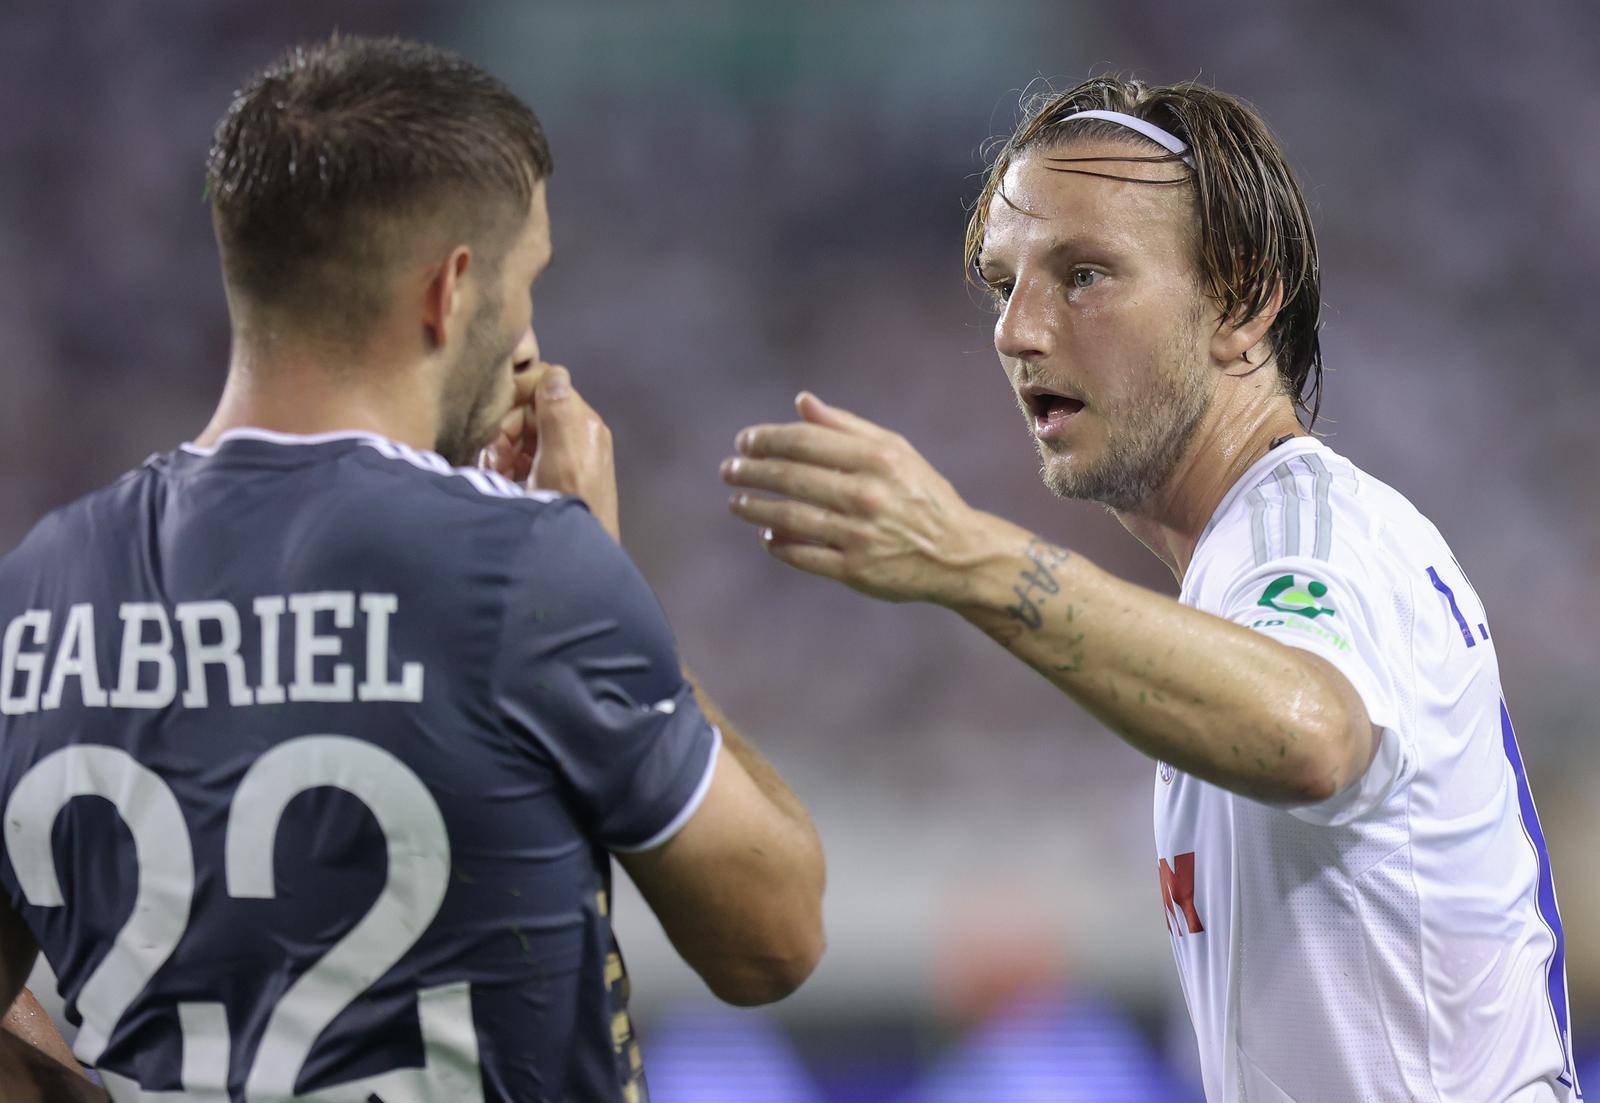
{"x": 590, "y": 673}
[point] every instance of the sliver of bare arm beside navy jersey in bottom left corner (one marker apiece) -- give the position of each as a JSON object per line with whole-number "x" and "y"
{"x": 34, "y": 1061}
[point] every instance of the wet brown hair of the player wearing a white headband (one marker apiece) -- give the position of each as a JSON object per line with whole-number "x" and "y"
{"x": 1255, "y": 230}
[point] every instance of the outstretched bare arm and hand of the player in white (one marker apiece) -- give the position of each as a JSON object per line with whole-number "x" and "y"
{"x": 1214, "y": 699}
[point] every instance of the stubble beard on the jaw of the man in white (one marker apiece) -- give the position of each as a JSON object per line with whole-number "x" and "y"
{"x": 1146, "y": 441}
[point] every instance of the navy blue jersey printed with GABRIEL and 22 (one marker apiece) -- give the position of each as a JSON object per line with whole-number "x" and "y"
{"x": 313, "y": 752}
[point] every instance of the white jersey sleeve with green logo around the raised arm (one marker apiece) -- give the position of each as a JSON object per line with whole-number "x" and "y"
{"x": 1348, "y": 620}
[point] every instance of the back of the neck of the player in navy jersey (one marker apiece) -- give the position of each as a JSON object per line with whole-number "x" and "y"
{"x": 310, "y": 391}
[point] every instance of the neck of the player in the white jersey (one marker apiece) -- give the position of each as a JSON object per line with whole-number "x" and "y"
{"x": 1230, "y": 439}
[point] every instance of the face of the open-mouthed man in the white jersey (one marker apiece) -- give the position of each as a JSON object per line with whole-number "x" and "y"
{"x": 1103, "y": 326}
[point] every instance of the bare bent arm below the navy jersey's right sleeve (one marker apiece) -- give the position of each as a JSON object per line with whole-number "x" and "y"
{"x": 740, "y": 888}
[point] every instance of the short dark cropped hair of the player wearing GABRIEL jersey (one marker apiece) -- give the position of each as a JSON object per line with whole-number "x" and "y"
{"x": 342, "y": 151}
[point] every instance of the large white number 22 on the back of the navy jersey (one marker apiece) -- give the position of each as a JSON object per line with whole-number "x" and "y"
{"x": 414, "y": 891}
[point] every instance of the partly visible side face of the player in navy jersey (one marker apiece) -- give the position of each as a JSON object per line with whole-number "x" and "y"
{"x": 498, "y": 339}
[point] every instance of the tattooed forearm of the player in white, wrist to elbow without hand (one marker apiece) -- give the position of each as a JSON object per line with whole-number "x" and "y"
{"x": 1191, "y": 689}
